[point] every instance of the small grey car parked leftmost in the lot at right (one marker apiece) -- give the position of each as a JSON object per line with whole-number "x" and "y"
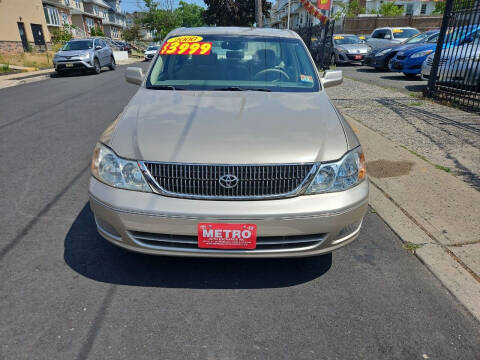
{"x": 348, "y": 48}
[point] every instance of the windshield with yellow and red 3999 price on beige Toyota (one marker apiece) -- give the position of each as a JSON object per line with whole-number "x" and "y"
{"x": 219, "y": 62}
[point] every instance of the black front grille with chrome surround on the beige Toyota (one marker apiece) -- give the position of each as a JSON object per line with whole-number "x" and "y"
{"x": 203, "y": 180}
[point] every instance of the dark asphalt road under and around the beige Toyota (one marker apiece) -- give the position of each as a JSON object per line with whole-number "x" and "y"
{"x": 67, "y": 293}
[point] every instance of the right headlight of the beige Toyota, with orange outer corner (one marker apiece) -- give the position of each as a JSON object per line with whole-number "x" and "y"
{"x": 341, "y": 175}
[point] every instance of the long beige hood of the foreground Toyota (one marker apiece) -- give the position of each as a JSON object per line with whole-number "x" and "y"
{"x": 229, "y": 127}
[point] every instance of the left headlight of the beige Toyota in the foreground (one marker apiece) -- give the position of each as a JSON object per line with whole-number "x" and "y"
{"x": 117, "y": 172}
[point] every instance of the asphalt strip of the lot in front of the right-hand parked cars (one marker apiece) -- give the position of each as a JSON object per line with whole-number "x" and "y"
{"x": 386, "y": 79}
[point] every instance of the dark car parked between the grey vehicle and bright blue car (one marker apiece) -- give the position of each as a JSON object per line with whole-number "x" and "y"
{"x": 379, "y": 58}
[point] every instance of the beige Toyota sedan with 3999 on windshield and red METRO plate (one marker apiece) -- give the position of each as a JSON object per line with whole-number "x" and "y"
{"x": 239, "y": 156}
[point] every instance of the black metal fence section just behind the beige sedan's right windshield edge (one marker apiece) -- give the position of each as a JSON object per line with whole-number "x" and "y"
{"x": 319, "y": 40}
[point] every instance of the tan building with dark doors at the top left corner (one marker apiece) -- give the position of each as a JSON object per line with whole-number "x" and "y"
{"x": 23, "y": 26}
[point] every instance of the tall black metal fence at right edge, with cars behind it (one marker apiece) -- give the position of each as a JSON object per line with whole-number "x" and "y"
{"x": 455, "y": 68}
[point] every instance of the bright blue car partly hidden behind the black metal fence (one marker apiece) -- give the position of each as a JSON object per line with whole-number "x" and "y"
{"x": 409, "y": 61}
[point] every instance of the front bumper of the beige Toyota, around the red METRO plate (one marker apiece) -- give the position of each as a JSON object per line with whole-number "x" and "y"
{"x": 155, "y": 224}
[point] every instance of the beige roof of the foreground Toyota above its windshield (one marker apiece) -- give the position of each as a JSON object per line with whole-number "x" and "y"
{"x": 244, "y": 31}
